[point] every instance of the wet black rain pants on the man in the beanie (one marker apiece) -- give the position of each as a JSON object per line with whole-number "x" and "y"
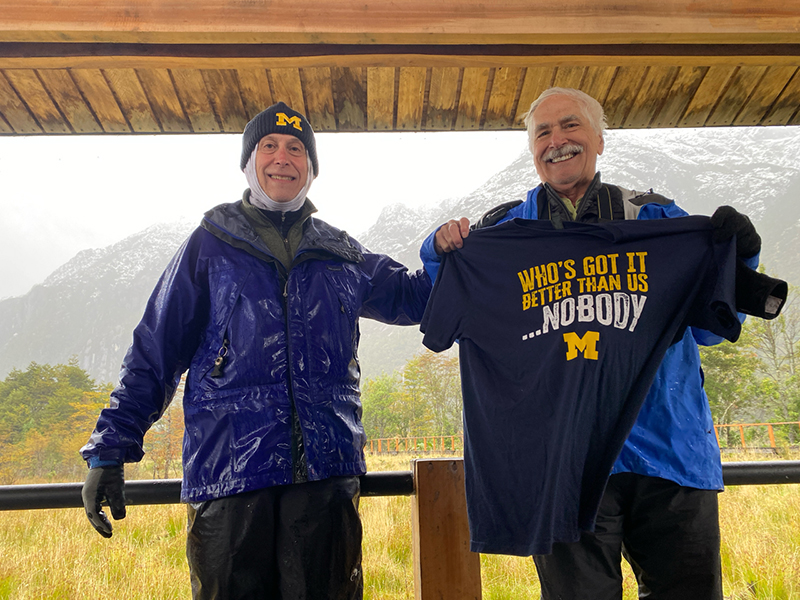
{"x": 291, "y": 542}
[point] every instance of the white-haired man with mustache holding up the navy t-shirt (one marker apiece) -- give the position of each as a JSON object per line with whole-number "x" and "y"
{"x": 659, "y": 508}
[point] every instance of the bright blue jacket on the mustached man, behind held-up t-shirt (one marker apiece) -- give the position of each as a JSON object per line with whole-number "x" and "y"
{"x": 673, "y": 437}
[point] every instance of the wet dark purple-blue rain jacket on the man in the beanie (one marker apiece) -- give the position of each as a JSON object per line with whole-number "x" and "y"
{"x": 283, "y": 338}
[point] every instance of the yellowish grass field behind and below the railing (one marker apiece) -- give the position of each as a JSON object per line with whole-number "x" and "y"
{"x": 57, "y": 555}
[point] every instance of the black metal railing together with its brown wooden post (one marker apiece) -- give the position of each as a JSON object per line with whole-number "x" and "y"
{"x": 444, "y": 568}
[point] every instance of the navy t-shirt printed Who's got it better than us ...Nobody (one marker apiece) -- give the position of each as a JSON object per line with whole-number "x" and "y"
{"x": 560, "y": 335}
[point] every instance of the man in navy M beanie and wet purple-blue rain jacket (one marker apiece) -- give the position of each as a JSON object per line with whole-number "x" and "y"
{"x": 261, "y": 305}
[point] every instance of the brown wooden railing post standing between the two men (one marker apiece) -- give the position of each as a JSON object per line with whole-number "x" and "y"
{"x": 444, "y": 567}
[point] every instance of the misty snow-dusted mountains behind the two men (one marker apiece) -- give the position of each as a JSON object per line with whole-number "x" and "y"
{"x": 89, "y": 306}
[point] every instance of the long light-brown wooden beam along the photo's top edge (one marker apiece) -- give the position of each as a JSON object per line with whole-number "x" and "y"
{"x": 384, "y": 21}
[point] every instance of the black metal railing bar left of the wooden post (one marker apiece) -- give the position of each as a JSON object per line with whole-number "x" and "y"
{"x": 167, "y": 491}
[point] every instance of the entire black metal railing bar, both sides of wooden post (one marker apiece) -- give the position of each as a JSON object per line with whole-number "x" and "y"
{"x": 381, "y": 483}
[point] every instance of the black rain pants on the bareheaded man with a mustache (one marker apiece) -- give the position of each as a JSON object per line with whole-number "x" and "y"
{"x": 668, "y": 533}
